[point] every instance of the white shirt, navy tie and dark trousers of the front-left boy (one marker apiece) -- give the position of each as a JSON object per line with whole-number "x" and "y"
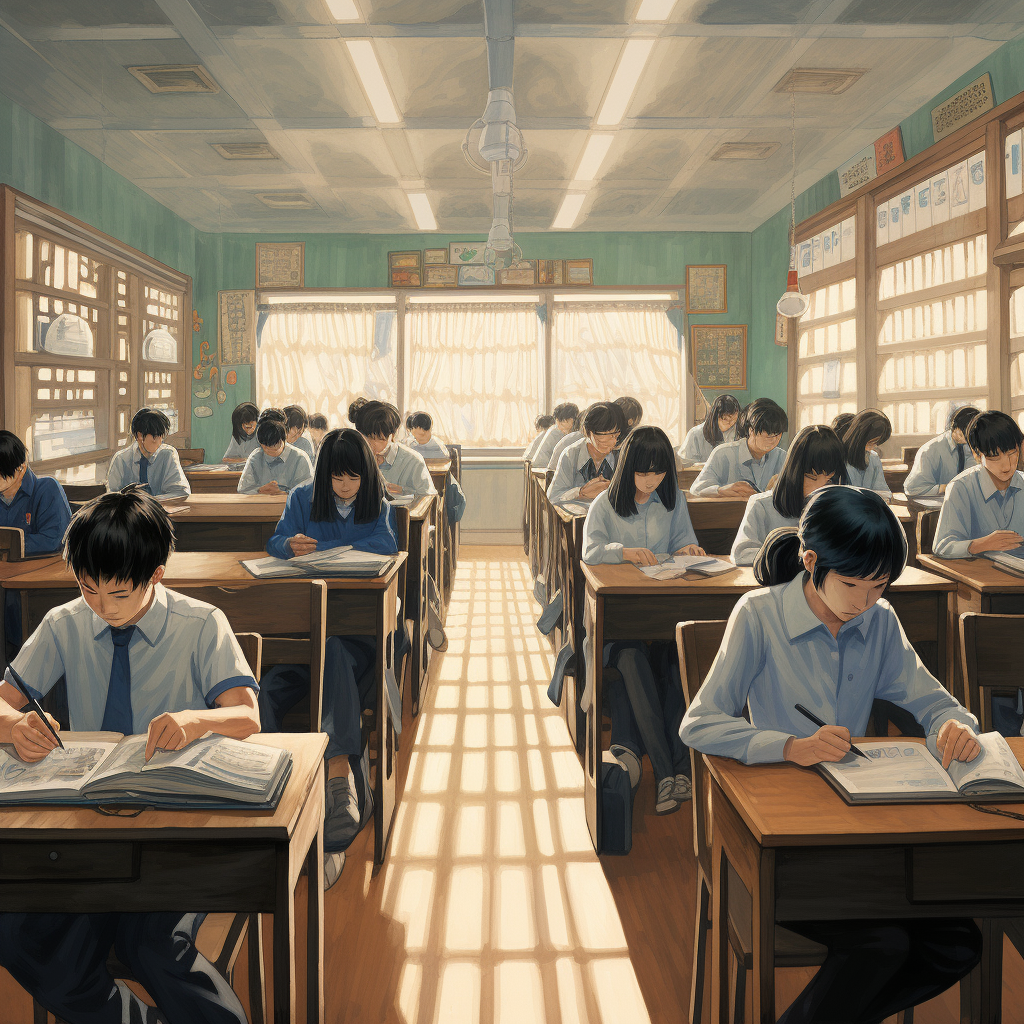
{"x": 181, "y": 656}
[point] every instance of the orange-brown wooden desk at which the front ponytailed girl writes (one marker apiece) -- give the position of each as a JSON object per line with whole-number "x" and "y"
{"x": 803, "y": 855}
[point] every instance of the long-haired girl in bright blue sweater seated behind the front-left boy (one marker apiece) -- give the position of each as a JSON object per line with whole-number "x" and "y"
{"x": 346, "y": 504}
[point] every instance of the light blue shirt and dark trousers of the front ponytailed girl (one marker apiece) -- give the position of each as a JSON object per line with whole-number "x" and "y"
{"x": 778, "y": 654}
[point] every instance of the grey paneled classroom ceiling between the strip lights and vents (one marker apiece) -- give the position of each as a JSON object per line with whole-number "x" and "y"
{"x": 287, "y": 78}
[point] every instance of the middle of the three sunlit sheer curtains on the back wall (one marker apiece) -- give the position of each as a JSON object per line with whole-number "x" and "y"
{"x": 475, "y": 368}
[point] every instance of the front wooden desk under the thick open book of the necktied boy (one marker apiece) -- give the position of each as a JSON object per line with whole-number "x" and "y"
{"x": 217, "y": 862}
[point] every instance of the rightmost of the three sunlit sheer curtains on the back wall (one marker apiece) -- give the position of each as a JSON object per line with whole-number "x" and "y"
{"x": 603, "y": 351}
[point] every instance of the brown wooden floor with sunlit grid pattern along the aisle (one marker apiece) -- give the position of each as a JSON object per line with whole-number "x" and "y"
{"x": 493, "y": 908}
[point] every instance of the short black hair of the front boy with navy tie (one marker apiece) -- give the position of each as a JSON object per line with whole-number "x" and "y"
{"x": 121, "y": 536}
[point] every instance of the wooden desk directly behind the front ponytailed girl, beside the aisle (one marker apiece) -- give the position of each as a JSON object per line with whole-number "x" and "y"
{"x": 623, "y": 605}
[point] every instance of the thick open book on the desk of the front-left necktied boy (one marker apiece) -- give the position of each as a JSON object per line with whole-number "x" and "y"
{"x": 215, "y": 772}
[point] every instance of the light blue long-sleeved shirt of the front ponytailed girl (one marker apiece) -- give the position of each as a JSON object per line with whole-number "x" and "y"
{"x": 778, "y": 654}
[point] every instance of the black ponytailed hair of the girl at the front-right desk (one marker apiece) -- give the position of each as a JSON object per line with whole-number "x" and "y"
{"x": 851, "y": 530}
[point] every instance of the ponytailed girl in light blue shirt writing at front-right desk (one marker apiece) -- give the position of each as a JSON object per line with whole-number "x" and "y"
{"x": 820, "y": 635}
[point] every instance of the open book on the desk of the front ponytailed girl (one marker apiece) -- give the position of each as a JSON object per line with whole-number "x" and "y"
{"x": 901, "y": 772}
